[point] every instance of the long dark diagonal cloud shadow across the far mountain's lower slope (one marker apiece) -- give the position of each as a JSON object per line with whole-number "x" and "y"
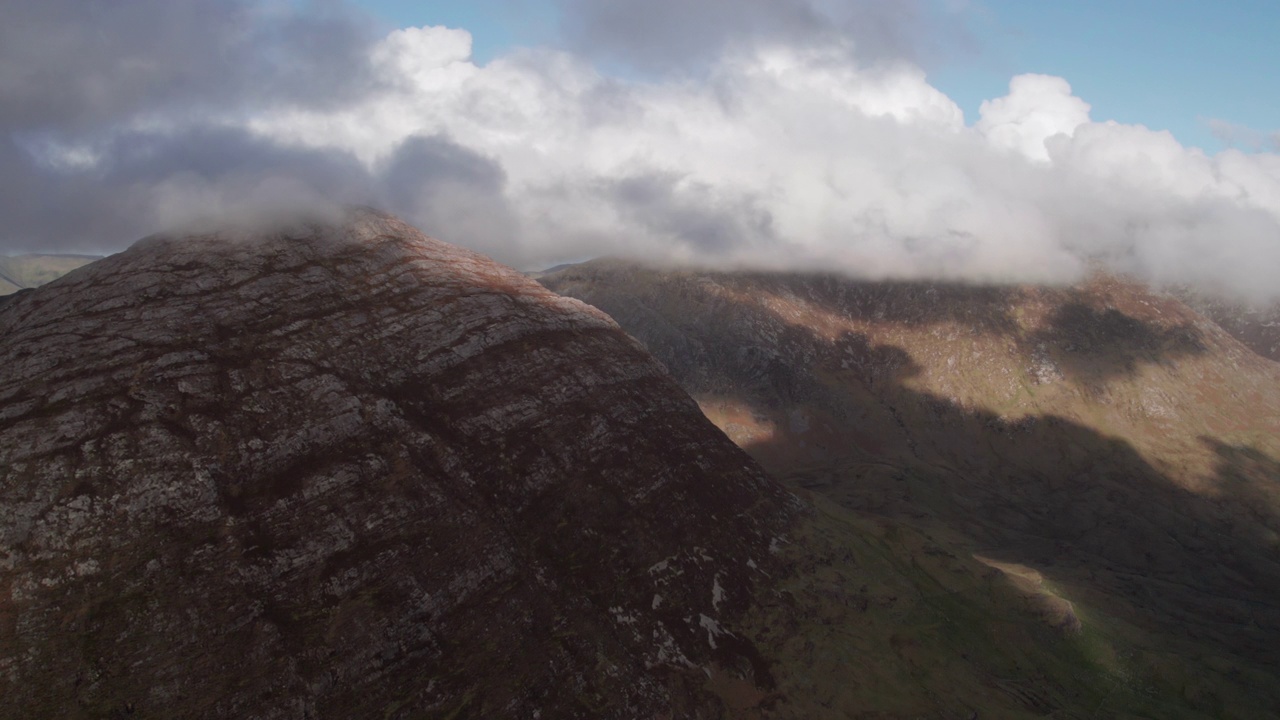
{"x": 1199, "y": 572}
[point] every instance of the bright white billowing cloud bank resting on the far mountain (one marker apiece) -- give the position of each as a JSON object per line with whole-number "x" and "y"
{"x": 806, "y": 158}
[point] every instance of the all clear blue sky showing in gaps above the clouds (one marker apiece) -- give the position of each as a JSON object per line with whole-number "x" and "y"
{"x": 1168, "y": 65}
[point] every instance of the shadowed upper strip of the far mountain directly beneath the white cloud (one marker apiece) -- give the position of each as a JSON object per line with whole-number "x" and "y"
{"x": 1092, "y": 335}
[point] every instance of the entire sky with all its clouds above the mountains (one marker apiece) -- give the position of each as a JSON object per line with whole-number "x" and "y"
{"x": 984, "y": 142}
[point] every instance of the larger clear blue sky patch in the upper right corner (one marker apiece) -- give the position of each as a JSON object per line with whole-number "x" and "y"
{"x": 1168, "y": 65}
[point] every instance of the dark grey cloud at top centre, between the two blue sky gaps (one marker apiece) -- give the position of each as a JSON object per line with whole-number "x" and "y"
{"x": 666, "y": 35}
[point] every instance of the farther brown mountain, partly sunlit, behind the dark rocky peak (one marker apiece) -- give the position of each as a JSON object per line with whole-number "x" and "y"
{"x": 1103, "y": 440}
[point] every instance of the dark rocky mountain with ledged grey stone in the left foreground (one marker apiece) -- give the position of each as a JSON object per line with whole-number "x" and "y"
{"x": 348, "y": 471}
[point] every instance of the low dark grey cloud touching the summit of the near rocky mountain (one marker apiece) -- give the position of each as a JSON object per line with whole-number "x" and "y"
{"x": 200, "y": 176}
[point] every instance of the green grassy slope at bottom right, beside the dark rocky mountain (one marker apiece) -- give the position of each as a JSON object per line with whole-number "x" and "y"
{"x": 883, "y": 621}
